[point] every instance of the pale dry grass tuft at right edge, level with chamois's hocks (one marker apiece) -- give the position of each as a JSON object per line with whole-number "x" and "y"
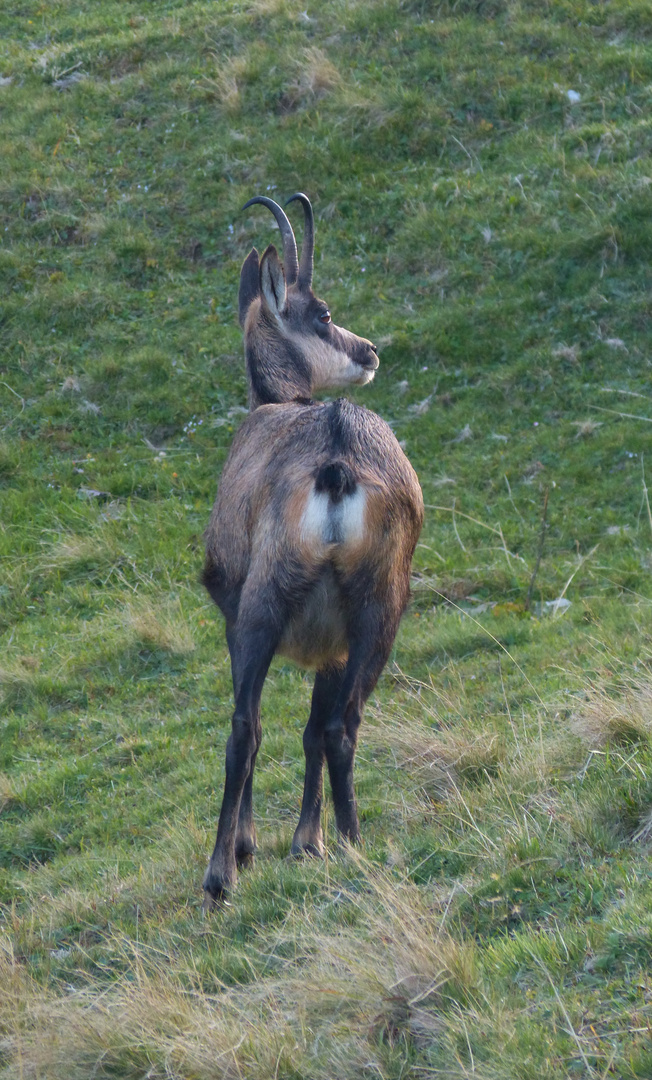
{"x": 606, "y": 719}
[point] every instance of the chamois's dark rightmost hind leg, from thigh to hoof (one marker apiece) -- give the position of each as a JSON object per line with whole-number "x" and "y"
{"x": 372, "y": 633}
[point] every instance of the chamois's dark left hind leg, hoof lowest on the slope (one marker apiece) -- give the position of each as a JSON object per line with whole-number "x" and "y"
{"x": 252, "y": 649}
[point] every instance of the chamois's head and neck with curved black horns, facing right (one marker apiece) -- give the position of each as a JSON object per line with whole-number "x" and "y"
{"x": 293, "y": 348}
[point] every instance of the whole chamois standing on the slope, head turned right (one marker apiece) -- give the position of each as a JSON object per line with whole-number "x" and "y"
{"x": 310, "y": 542}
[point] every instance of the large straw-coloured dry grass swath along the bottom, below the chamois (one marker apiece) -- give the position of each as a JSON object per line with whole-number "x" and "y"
{"x": 348, "y": 993}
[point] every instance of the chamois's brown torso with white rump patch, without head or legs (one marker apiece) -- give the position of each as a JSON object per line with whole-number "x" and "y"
{"x": 276, "y": 520}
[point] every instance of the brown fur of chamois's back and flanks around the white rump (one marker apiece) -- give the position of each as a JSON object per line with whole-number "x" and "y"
{"x": 256, "y": 522}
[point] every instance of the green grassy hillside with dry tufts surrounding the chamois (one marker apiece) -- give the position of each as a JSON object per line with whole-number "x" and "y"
{"x": 482, "y": 182}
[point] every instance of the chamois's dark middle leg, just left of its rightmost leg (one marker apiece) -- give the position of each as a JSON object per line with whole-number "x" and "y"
{"x": 308, "y": 838}
